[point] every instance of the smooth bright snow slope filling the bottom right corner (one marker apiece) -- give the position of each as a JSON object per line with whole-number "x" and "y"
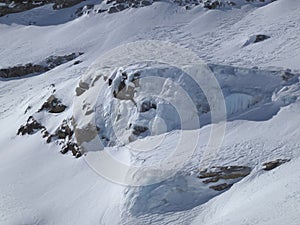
{"x": 259, "y": 204}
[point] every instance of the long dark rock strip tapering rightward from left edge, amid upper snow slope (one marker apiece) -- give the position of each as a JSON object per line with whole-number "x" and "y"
{"x": 30, "y": 68}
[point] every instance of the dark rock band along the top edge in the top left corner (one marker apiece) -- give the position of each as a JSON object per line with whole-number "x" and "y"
{"x": 15, "y": 6}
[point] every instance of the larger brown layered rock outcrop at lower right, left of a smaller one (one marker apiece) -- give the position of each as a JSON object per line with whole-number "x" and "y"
{"x": 230, "y": 174}
